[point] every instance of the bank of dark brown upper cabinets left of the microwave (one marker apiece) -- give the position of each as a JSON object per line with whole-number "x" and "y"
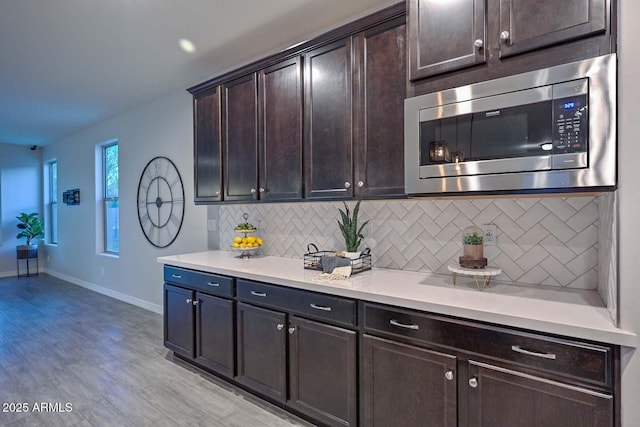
{"x": 322, "y": 120}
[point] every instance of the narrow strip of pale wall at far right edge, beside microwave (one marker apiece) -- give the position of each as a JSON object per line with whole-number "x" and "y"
{"x": 629, "y": 201}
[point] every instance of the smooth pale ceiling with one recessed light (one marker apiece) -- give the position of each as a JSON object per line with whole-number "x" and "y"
{"x": 68, "y": 64}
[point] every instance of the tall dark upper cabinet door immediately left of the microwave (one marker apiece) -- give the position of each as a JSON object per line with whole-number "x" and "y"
{"x": 381, "y": 93}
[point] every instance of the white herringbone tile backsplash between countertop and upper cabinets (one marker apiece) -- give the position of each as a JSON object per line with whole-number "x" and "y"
{"x": 548, "y": 241}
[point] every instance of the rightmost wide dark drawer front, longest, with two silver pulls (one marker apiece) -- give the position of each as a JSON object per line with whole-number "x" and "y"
{"x": 581, "y": 361}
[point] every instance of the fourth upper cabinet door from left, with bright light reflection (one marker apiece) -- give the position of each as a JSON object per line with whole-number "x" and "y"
{"x": 328, "y": 121}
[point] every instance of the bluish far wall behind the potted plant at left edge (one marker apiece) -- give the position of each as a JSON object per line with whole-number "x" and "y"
{"x": 20, "y": 189}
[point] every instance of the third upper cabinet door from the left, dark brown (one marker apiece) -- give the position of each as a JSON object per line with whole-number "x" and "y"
{"x": 281, "y": 131}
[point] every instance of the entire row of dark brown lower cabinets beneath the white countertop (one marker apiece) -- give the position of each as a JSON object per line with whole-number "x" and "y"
{"x": 341, "y": 364}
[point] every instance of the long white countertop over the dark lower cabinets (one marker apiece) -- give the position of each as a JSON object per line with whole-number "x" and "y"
{"x": 578, "y": 314}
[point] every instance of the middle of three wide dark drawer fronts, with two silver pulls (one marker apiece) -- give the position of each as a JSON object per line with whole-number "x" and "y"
{"x": 320, "y": 306}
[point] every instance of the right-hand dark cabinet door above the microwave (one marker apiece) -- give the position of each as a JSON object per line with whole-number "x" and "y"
{"x": 531, "y": 24}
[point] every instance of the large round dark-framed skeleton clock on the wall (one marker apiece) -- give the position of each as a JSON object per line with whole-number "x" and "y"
{"x": 160, "y": 202}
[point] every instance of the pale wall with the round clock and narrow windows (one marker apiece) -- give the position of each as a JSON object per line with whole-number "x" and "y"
{"x": 162, "y": 128}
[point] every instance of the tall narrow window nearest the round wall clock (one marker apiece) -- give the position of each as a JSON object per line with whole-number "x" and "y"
{"x": 110, "y": 199}
